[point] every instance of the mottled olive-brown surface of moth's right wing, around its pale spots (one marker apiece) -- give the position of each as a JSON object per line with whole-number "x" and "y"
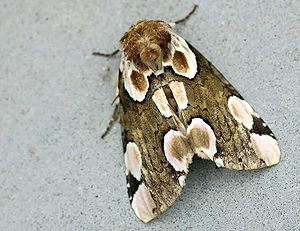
{"x": 208, "y": 96}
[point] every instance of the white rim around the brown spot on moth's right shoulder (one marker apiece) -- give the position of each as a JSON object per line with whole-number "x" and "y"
{"x": 179, "y": 44}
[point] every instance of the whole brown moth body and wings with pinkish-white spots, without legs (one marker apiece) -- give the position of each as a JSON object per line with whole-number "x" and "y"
{"x": 174, "y": 104}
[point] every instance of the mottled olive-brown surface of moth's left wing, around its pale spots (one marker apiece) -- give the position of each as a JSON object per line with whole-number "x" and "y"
{"x": 144, "y": 125}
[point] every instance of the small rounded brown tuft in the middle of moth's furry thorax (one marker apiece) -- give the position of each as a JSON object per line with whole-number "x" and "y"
{"x": 152, "y": 57}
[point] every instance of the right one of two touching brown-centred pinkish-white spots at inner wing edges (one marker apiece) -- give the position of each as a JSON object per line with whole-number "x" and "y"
{"x": 202, "y": 138}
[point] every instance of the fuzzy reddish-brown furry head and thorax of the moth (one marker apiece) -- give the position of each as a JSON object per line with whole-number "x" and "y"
{"x": 146, "y": 45}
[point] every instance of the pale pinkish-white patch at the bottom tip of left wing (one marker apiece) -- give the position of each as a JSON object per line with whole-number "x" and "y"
{"x": 143, "y": 204}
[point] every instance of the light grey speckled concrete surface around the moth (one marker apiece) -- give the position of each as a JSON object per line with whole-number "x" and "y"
{"x": 55, "y": 171}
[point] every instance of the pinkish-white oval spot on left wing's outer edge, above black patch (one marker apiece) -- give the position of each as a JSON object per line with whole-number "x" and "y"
{"x": 133, "y": 160}
